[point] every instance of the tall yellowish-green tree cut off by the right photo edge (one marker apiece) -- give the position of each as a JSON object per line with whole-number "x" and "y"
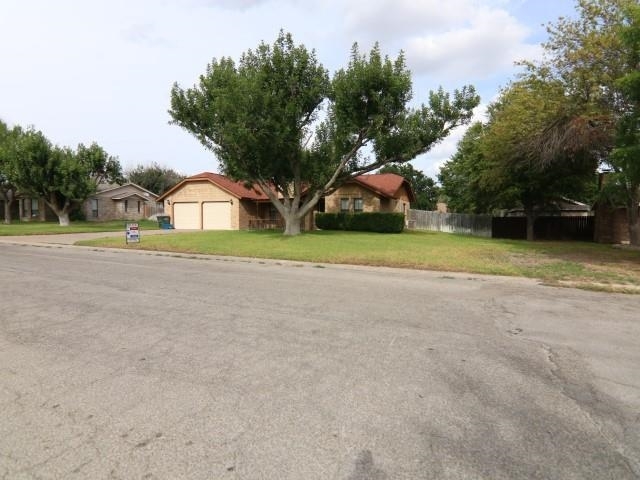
{"x": 594, "y": 60}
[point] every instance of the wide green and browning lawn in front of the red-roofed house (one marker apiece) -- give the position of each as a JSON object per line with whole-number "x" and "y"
{"x": 580, "y": 264}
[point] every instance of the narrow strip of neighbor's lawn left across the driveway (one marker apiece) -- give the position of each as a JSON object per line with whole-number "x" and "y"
{"x": 53, "y": 228}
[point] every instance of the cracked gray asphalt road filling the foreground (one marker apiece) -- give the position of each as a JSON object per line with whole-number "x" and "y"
{"x": 127, "y": 365}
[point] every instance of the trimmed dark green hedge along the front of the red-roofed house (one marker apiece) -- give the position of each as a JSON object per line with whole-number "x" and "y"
{"x": 363, "y": 222}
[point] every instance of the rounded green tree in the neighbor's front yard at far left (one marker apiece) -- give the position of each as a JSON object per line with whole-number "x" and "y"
{"x": 62, "y": 177}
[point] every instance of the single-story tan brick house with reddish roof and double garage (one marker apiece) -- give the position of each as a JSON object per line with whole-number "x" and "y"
{"x": 210, "y": 201}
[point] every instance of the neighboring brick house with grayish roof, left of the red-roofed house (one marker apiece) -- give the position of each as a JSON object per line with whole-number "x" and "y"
{"x": 126, "y": 202}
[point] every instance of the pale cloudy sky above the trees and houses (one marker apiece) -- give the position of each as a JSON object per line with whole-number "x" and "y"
{"x": 102, "y": 70}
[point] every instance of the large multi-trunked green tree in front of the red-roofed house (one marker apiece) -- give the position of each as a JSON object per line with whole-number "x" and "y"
{"x": 277, "y": 120}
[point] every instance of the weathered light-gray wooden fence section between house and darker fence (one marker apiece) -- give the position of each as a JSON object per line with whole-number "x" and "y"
{"x": 477, "y": 225}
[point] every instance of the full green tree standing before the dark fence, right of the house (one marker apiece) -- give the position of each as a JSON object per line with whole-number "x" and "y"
{"x": 500, "y": 164}
